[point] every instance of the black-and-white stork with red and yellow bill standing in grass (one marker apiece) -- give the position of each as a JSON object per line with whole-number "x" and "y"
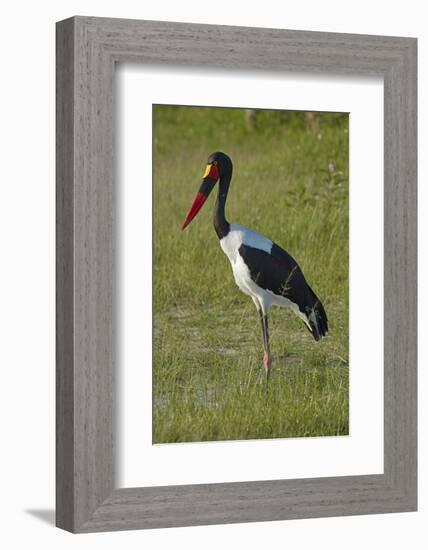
{"x": 261, "y": 268}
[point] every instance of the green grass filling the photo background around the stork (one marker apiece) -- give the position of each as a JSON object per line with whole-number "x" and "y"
{"x": 208, "y": 380}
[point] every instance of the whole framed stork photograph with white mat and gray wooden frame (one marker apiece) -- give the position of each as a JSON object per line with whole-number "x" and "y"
{"x": 236, "y": 274}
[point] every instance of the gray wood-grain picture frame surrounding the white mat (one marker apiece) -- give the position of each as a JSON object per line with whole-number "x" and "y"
{"x": 87, "y": 50}
